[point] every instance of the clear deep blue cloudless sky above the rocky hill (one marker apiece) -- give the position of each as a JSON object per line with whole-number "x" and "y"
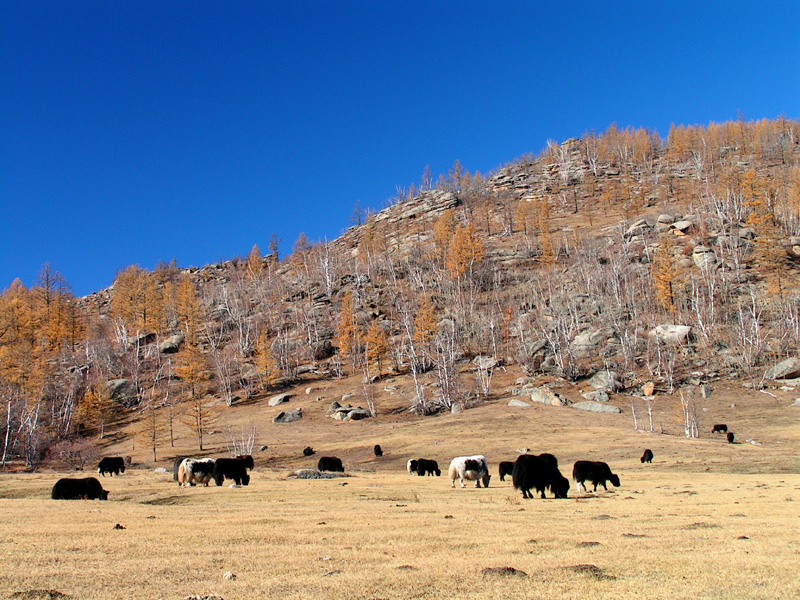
{"x": 139, "y": 131}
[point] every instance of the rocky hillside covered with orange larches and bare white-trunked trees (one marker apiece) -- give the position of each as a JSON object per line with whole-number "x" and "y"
{"x": 620, "y": 250}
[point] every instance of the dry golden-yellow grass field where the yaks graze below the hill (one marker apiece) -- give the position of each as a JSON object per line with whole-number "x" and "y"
{"x": 706, "y": 520}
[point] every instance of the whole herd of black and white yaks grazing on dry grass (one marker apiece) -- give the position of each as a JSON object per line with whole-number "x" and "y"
{"x": 528, "y": 472}
